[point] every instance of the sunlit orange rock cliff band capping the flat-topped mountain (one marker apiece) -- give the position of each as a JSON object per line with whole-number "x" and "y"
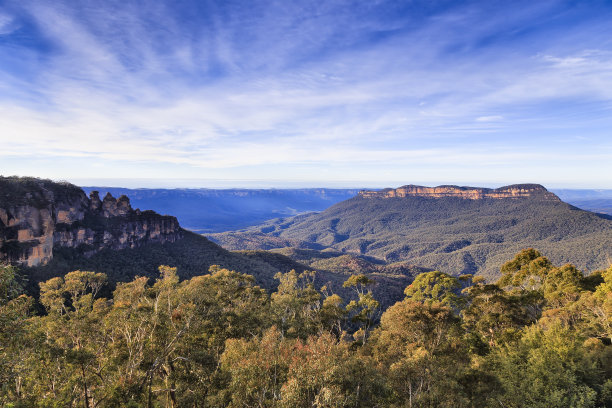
{"x": 514, "y": 191}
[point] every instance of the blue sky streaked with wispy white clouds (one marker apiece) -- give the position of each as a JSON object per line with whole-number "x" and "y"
{"x": 307, "y": 93}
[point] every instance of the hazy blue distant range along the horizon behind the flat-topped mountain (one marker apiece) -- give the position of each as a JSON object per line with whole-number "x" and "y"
{"x": 218, "y": 210}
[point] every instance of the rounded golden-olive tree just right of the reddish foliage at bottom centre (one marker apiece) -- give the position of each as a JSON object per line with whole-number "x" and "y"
{"x": 425, "y": 361}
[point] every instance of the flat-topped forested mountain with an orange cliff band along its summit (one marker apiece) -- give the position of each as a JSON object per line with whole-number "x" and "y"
{"x": 454, "y": 229}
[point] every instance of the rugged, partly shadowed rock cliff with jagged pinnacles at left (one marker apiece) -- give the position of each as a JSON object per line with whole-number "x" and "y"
{"x": 37, "y": 217}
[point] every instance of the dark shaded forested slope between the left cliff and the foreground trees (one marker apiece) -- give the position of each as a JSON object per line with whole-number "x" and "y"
{"x": 193, "y": 255}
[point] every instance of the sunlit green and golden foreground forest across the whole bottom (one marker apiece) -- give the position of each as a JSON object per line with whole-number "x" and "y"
{"x": 539, "y": 337}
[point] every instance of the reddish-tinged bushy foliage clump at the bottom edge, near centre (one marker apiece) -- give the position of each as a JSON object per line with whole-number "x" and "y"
{"x": 273, "y": 371}
